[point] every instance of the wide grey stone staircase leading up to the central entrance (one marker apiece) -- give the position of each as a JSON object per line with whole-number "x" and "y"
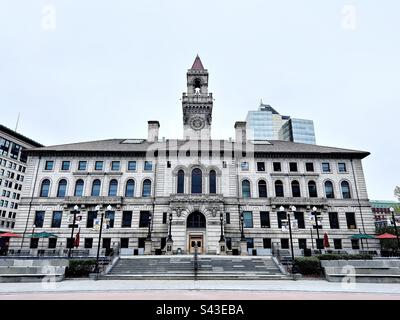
{"x": 210, "y": 267}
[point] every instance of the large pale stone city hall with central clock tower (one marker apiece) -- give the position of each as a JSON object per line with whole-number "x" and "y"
{"x": 158, "y": 194}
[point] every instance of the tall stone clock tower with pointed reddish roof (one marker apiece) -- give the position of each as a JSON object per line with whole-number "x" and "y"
{"x": 197, "y": 103}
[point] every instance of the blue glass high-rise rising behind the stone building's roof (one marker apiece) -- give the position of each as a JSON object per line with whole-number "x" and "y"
{"x": 267, "y": 124}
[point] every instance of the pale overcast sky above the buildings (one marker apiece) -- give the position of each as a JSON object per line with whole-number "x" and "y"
{"x": 87, "y": 70}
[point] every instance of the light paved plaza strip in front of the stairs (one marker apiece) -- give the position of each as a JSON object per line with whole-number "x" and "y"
{"x": 194, "y": 290}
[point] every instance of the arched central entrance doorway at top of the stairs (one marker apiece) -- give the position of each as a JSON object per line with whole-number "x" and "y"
{"x": 196, "y": 227}
